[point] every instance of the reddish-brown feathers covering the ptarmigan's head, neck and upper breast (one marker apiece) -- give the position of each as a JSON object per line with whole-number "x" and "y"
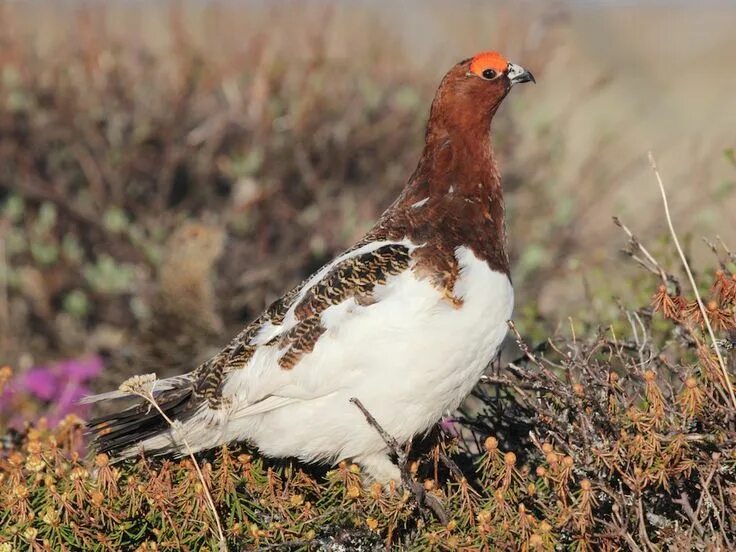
{"x": 458, "y": 178}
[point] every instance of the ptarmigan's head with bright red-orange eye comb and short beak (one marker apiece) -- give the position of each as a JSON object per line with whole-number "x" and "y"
{"x": 472, "y": 90}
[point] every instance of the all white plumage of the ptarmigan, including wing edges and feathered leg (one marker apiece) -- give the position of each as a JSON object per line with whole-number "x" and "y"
{"x": 411, "y": 342}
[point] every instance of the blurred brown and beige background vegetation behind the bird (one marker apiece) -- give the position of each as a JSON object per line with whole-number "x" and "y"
{"x": 169, "y": 168}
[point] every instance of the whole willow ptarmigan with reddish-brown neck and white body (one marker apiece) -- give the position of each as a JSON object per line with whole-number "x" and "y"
{"x": 405, "y": 321}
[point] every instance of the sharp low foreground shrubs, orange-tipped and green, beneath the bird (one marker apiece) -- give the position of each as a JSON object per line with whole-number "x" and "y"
{"x": 616, "y": 437}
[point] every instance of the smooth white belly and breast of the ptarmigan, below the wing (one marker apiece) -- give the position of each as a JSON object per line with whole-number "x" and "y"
{"x": 409, "y": 359}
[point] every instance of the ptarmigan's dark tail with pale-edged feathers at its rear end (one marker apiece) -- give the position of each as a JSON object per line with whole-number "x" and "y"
{"x": 125, "y": 431}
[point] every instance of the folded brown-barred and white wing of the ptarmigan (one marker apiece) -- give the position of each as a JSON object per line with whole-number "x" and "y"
{"x": 262, "y": 362}
